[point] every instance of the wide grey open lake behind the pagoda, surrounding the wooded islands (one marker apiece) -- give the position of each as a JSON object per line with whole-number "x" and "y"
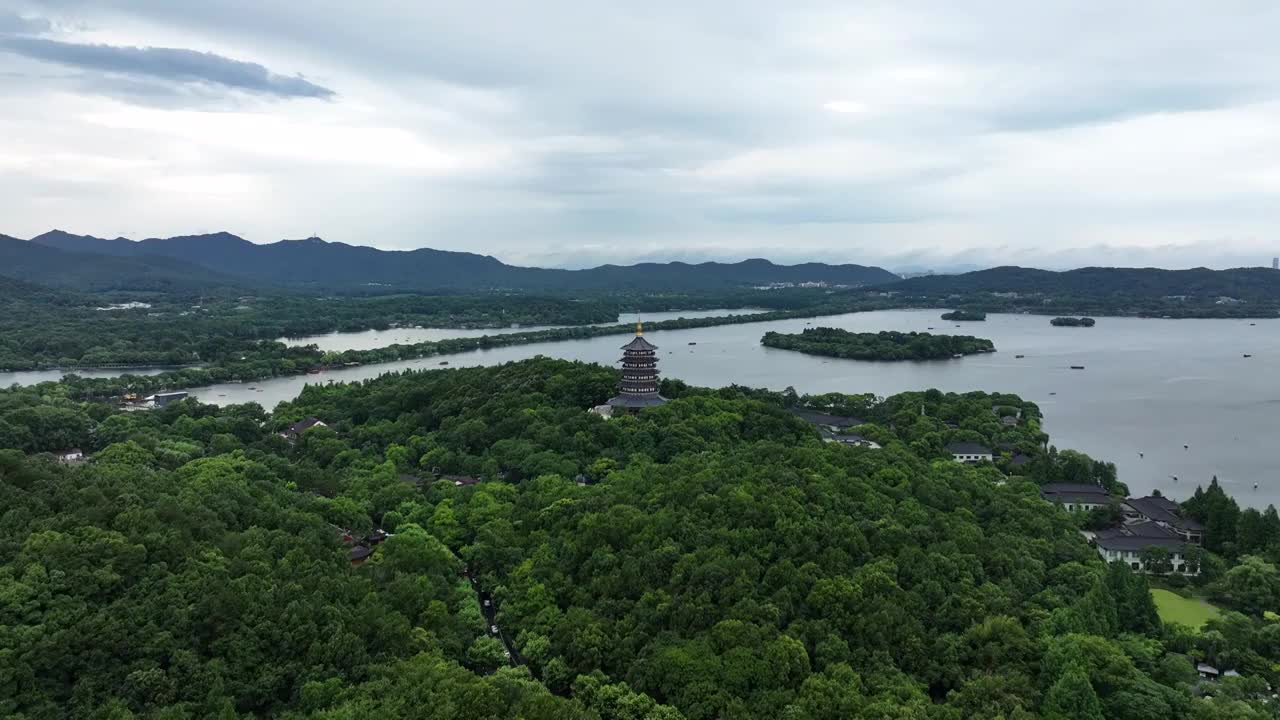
{"x": 1149, "y": 386}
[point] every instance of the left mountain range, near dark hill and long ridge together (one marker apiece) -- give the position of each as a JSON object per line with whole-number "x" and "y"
{"x": 63, "y": 259}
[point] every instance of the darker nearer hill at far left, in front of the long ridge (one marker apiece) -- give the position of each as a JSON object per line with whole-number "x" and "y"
{"x": 49, "y": 266}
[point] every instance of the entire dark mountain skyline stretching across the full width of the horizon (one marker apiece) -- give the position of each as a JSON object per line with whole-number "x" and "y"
{"x": 222, "y": 261}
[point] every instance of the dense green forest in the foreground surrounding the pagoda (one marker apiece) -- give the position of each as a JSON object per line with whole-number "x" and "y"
{"x": 712, "y": 558}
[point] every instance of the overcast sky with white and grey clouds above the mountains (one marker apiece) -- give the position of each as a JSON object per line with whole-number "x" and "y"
{"x": 921, "y": 134}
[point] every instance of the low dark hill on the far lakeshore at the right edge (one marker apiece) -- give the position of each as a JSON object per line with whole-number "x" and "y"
{"x": 1242, "y": 284}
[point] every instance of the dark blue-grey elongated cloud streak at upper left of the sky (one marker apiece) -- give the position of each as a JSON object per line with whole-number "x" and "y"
{"x": 173, "y": 65}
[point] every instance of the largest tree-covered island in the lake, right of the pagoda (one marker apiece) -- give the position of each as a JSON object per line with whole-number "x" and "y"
{"x": 890, "y": 345}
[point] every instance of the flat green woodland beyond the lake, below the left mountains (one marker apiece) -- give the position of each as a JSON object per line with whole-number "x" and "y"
{"x": 43, "y": 329}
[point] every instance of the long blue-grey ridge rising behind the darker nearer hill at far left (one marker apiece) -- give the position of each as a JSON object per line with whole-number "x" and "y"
{"x": 316, "y": 263}
